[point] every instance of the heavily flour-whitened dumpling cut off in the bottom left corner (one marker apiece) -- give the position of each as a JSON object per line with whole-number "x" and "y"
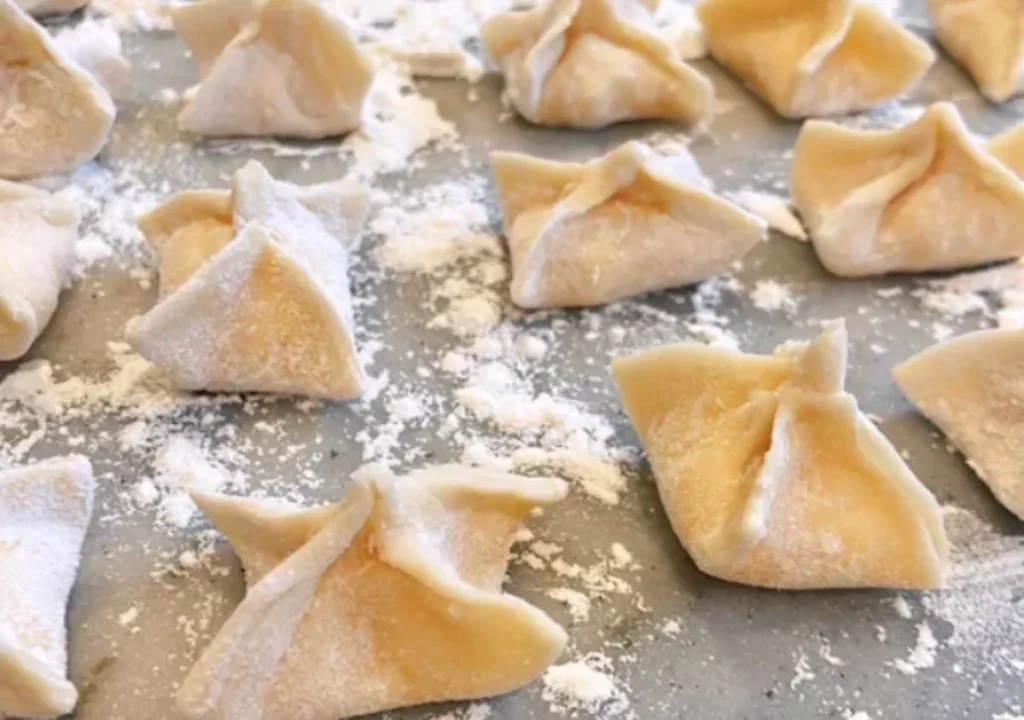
{"x": 45, "y": 515}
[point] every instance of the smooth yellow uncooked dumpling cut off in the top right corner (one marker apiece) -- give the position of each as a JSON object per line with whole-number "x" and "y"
{"x": 986, "y": 38}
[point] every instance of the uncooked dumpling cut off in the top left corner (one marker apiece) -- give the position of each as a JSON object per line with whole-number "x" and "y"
{"x": 54, "y": 114}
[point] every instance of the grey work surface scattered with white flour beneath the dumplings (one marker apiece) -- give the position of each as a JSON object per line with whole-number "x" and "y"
{"x": 461, "y": 376}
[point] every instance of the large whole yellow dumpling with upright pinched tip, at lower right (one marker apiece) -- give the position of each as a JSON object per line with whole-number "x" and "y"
{"x": 771, "y": 475}
